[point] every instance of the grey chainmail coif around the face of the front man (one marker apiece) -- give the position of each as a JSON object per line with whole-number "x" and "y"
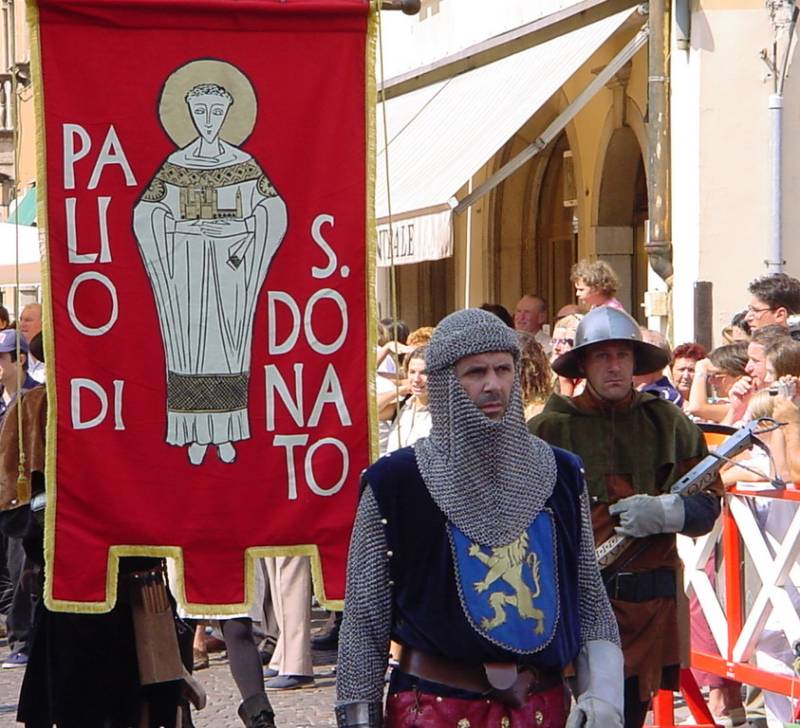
{"x": 489, "y": 477}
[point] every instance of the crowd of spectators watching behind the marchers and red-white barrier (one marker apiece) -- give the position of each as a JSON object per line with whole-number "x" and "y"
{"x": 752, "y": 375}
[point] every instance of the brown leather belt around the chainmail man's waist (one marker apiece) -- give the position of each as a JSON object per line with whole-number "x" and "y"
{"x": 466, "y": 676}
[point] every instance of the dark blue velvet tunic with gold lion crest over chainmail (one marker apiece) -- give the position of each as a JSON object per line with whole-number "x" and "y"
{"x": 473, "y": 603}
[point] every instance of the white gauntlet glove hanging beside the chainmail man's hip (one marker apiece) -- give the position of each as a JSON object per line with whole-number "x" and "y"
{"x": 598, "y": 687}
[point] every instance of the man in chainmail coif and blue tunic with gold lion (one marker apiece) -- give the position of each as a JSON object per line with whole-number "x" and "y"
{"x": 474, "y": 551}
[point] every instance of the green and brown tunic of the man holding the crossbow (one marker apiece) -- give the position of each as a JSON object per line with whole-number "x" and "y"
{"x": 642, "y": 444}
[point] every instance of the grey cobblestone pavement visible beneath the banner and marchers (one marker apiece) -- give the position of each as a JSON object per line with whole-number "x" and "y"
{"x": 306, "y": 708}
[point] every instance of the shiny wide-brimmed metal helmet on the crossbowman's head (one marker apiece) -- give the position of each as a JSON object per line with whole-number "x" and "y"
{"x": 610, "y": 324}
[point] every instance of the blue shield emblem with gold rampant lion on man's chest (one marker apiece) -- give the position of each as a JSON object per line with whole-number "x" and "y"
{"x": 510, "y": 593}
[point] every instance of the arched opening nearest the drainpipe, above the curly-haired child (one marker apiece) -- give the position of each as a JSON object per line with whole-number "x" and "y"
{"x": 621, "y": 217}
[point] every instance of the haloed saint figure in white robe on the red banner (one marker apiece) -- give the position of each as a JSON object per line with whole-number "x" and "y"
{"x": 208, "y": 225}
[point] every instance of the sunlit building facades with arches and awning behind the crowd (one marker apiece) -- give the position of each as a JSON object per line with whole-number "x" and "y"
{"x": 470, "y": 86}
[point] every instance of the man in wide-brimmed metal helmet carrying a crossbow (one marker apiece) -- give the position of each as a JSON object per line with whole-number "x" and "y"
{"x": 634, "y": 446}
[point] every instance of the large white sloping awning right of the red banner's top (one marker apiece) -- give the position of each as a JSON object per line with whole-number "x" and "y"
{"x": 441, "y": 135}
